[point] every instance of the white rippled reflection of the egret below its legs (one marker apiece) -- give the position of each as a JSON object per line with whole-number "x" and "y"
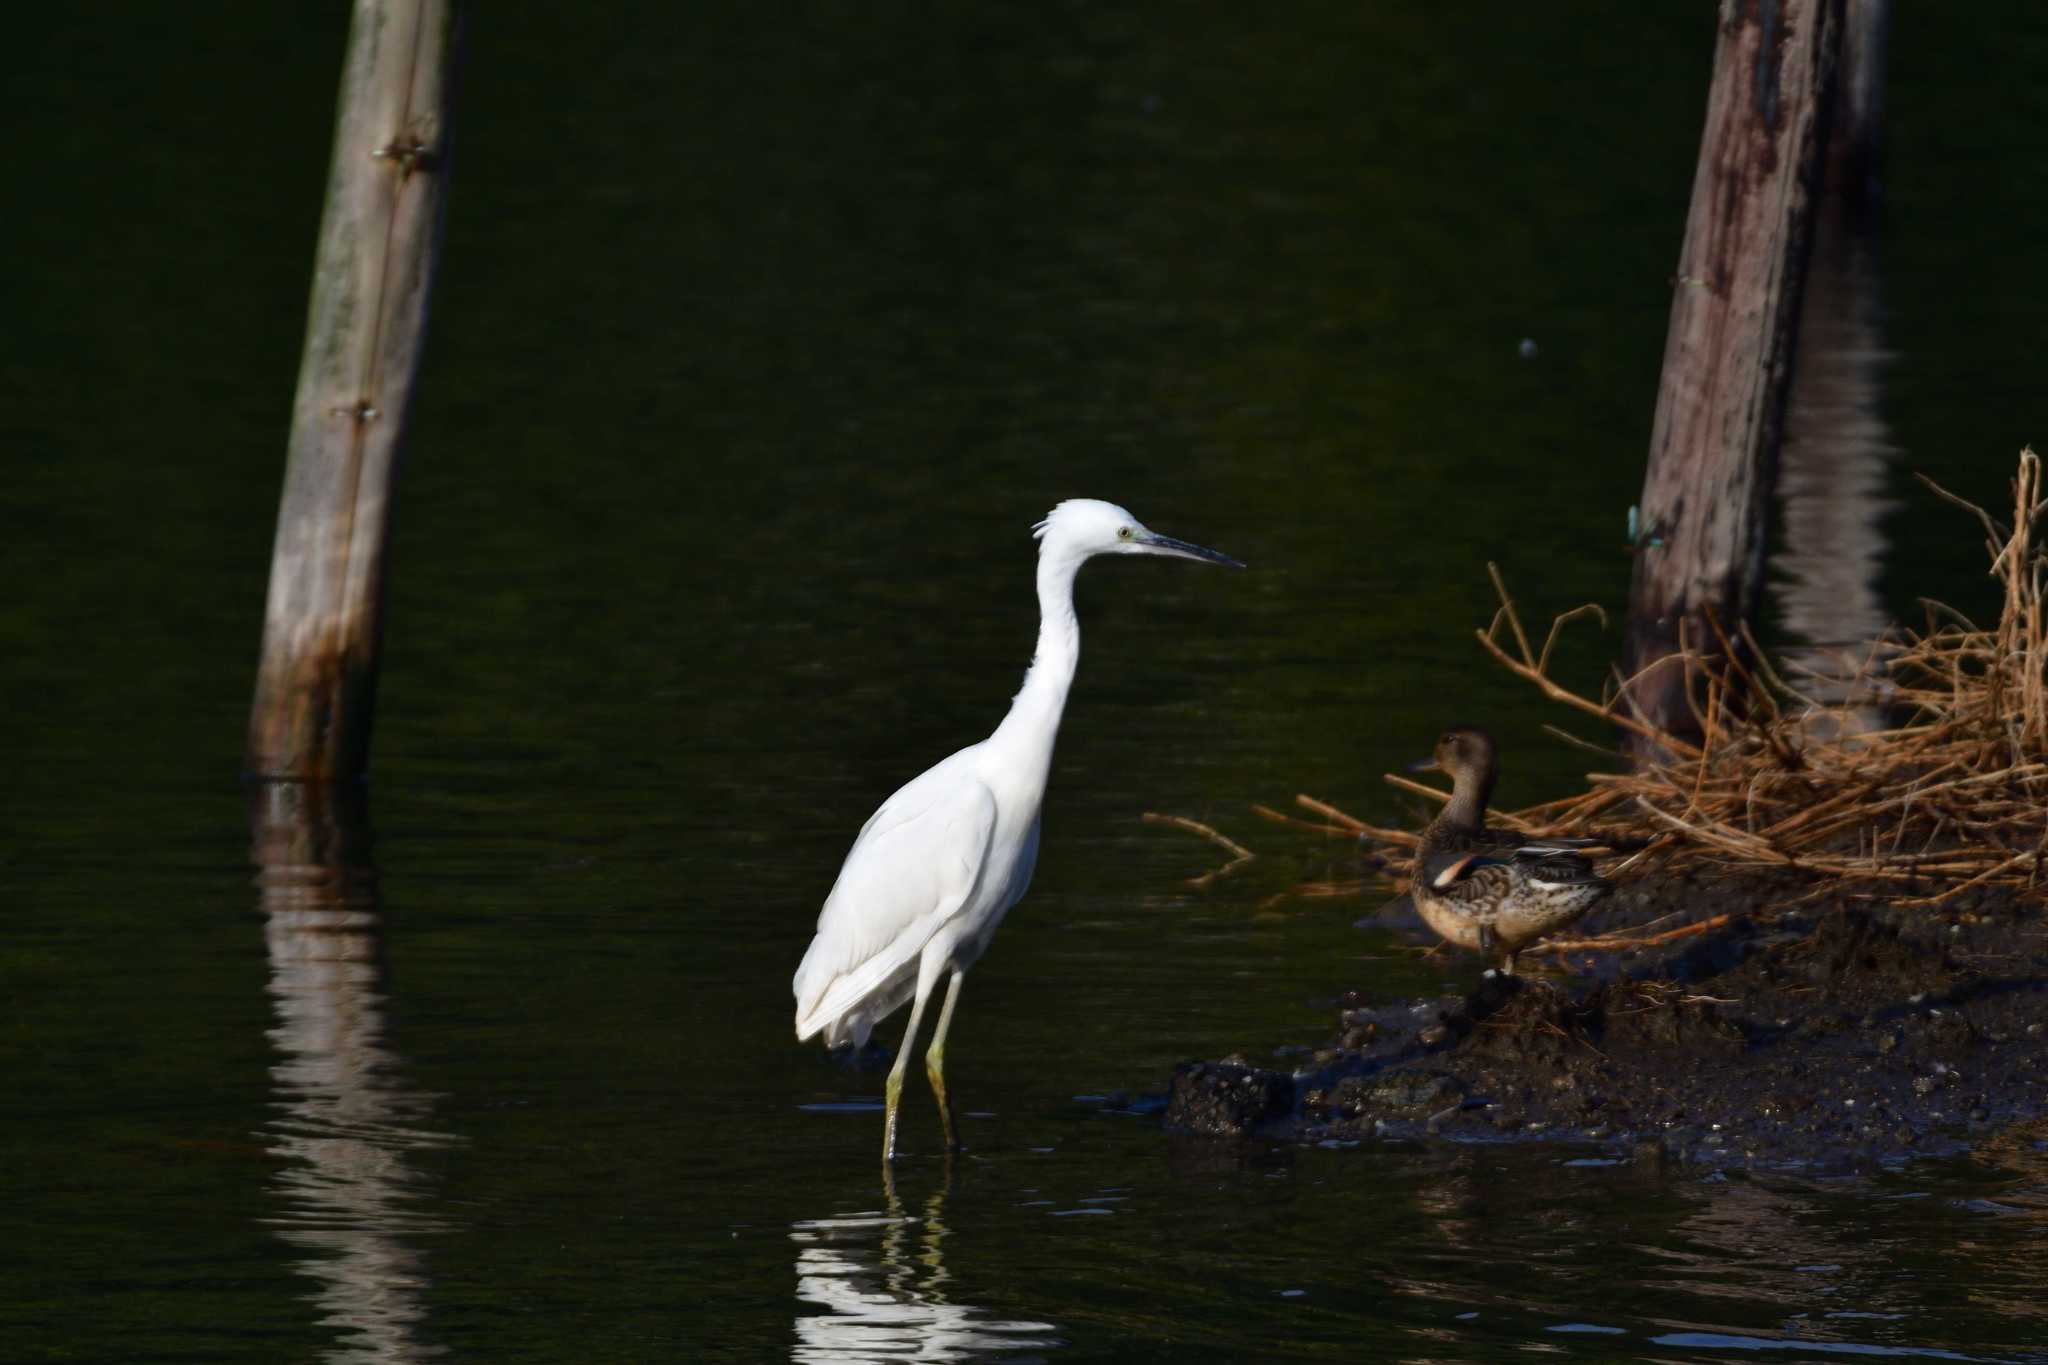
{"x": 882, "y": 1282}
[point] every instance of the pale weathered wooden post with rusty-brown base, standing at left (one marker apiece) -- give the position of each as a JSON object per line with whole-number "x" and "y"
{"x": 374, "y": 271}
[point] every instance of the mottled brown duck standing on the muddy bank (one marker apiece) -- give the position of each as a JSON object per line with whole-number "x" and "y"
{"x": 1494, "y": 889}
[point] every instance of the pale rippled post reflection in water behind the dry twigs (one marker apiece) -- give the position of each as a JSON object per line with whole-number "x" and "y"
{"x": 1834, "y": 470}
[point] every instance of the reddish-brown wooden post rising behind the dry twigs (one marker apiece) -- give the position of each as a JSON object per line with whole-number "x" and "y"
{"x": 1730, "y": 351}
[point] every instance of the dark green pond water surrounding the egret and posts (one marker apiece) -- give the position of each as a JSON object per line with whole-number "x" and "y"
{"x": 763, "y": 339}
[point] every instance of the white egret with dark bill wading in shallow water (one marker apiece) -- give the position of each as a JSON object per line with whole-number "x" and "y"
{"x": 941, "y": 863}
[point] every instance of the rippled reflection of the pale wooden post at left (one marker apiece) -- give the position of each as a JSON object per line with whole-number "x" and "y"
{"x": 345, "y": 1120}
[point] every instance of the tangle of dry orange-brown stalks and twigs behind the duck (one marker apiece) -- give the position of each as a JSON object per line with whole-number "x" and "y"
{"x": 1918, "y": 768}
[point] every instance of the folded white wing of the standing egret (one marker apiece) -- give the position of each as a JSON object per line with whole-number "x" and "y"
{"x": 914, "y": 867}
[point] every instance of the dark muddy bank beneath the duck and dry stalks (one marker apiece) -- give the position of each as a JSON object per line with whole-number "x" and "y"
{"x": 1814, "y": 1034}
